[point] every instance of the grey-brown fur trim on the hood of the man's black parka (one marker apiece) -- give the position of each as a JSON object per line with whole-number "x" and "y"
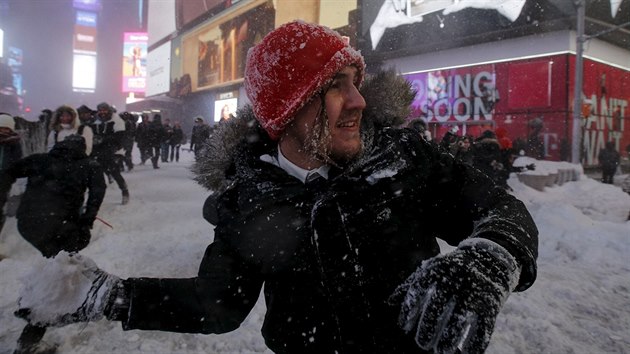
{"x": 388, "y": 98}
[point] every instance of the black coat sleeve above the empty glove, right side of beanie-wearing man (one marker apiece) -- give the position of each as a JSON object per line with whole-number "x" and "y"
{"x": 478, "y": 204}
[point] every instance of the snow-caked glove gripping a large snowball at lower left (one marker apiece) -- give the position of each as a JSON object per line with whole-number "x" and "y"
{"x": 67, "y": 289}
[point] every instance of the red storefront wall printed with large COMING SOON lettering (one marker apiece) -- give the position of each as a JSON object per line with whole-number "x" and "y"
{"x": 530, "y": 98}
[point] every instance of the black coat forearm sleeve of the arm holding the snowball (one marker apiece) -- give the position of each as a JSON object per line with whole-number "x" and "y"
{"x": 216, "y": 301}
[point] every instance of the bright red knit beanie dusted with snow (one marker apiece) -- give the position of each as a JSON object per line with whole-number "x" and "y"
{"x": 290, "y": 65}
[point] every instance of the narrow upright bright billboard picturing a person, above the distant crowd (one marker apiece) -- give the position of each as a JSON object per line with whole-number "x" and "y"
{"x": 135, "y": 62}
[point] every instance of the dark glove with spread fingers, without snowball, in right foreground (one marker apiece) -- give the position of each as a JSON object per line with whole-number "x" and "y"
{"x": 451, "y": 302}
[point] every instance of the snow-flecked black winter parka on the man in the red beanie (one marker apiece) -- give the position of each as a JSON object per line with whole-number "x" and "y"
{"x": 329, "y": 258}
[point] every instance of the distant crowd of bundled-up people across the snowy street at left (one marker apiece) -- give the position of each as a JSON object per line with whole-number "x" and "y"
{"x": 109, "y": 138}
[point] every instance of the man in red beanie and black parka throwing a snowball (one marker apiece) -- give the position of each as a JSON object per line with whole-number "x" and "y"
{"x": 318, "y": 197}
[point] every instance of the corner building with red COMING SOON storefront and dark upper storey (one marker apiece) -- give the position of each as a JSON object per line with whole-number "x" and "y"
{"x": 483, "y": 68}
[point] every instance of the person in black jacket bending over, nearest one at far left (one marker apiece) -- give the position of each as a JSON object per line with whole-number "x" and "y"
{"x": 52, "y": 216}
